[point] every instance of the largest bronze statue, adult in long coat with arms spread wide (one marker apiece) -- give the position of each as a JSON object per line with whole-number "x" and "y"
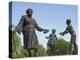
{"x": 27, "y": 26}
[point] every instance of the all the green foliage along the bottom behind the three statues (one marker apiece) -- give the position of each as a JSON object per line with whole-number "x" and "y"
{"x": 61, "y": 48}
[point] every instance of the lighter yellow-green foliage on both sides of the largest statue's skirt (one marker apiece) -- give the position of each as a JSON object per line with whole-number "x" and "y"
{"x": 18, "y": 51}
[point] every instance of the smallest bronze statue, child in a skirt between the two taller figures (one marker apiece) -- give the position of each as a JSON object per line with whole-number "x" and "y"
{"x": 52, "y": 42}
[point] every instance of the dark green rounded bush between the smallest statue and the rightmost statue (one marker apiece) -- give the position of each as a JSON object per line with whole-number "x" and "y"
{"x": 62, "y": 47}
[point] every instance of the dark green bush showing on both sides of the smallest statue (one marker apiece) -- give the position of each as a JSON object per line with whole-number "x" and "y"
{"x": 61, "y": 47}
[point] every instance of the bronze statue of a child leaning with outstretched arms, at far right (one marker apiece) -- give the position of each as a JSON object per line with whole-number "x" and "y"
{"x": 70, "y": 30}
